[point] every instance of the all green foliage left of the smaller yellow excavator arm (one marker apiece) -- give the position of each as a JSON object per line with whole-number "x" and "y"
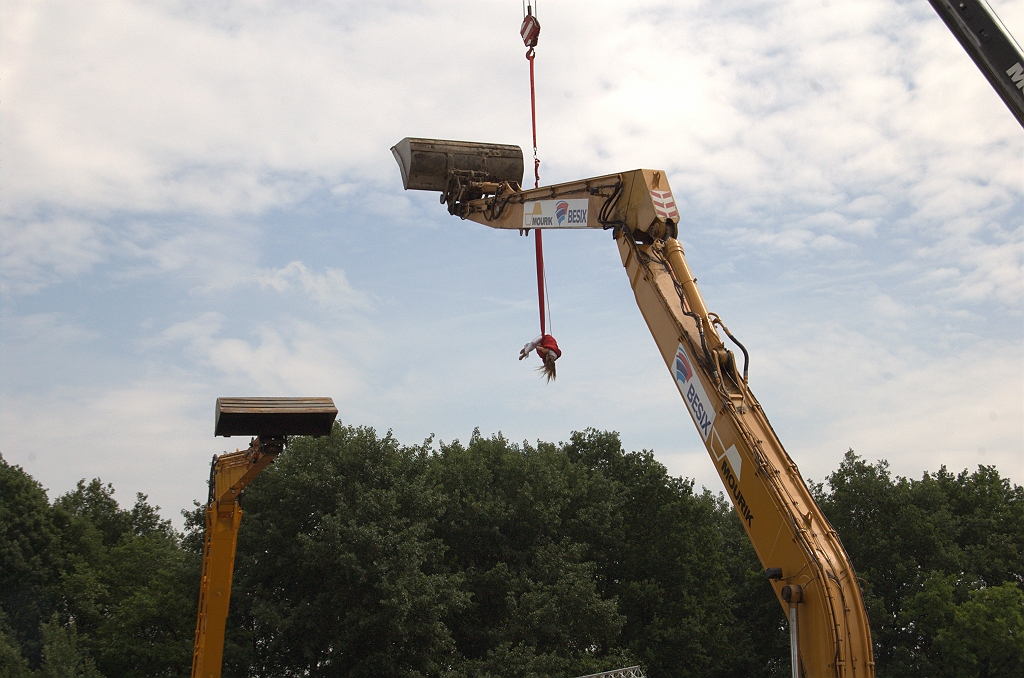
{"x": 91, "y": 589}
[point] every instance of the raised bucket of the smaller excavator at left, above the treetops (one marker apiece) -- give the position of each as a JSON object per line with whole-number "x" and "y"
{"x": 275, "y": 416}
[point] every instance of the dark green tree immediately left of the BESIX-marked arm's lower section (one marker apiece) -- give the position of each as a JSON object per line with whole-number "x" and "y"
{"x": 682, "y": 570}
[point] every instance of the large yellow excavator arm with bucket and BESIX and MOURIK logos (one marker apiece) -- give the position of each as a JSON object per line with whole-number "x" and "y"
{"x": 807, "y": 566}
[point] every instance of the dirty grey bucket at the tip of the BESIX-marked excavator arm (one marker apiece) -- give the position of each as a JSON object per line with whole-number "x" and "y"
{"x": 428, "y": 164}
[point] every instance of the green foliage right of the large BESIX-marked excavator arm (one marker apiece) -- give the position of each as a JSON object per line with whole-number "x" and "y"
{"x": 943, "y": 560}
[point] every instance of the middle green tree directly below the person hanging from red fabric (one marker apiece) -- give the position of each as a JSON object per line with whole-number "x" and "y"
{"x": 521, "y": 526}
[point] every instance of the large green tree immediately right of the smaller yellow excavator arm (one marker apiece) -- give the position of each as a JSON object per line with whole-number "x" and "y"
{"x": 337, "y": 572}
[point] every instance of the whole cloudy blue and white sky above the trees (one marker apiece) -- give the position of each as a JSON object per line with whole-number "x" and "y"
{"x": 199, "y": 201}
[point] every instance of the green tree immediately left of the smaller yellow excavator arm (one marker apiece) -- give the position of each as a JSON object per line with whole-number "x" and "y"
{"x": 129, "y": 585}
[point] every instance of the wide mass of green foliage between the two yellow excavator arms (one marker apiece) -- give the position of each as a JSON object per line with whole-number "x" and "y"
{"x": 358, "y": 556}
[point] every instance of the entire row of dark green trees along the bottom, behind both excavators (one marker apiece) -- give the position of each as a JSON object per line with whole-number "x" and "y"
{"x": 359, "y": 557}
